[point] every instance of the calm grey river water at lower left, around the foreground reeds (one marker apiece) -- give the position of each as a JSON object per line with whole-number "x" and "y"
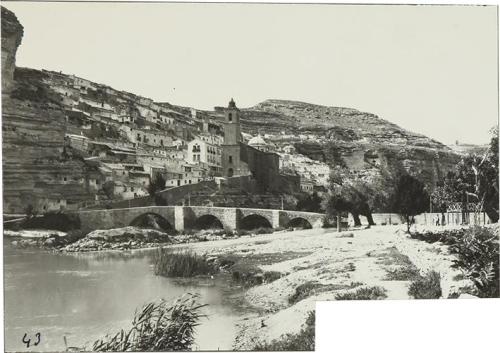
{"x": 85, "y": 296}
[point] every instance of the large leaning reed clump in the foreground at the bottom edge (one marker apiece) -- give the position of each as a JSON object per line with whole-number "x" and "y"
{"x": 160, "y": 326}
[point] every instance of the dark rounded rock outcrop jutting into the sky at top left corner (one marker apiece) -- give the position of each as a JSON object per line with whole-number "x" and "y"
{"x": 12, "y": 34}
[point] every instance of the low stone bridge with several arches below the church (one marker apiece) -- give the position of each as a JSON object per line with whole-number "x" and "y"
{"x": 188, "y": 217}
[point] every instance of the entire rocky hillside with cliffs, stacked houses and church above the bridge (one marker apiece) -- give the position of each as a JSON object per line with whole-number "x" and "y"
{"x": 88, "y": 145}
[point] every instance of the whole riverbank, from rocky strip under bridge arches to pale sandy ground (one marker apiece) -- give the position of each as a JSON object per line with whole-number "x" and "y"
{"x": 285, "y": 273}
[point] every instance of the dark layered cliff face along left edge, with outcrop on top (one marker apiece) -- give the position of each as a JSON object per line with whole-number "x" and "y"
{"x": 36, "y": 169}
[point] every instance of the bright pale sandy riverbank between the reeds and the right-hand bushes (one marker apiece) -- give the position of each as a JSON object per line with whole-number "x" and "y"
{"x": 321, "y": 264}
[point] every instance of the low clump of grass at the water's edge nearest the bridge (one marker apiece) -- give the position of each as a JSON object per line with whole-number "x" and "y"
{"x": 181, "y": 263}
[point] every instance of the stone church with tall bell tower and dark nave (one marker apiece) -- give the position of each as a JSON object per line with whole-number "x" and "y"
{"x": 240, "y": 159}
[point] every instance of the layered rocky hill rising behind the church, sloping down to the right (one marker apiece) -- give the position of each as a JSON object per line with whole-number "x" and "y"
{"x": 359, "y": 140}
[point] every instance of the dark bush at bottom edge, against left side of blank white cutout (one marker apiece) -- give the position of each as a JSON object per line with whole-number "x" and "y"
{"x": 302, "y": 341}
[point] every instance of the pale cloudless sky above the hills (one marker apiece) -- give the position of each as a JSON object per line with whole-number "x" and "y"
{"x": 430, "y": 69}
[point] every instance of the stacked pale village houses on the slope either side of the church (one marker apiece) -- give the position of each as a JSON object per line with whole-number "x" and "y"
{"x": 127, "y": 141}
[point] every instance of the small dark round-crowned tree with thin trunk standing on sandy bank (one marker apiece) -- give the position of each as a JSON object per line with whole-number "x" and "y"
{"x": 410, "y": 198}
